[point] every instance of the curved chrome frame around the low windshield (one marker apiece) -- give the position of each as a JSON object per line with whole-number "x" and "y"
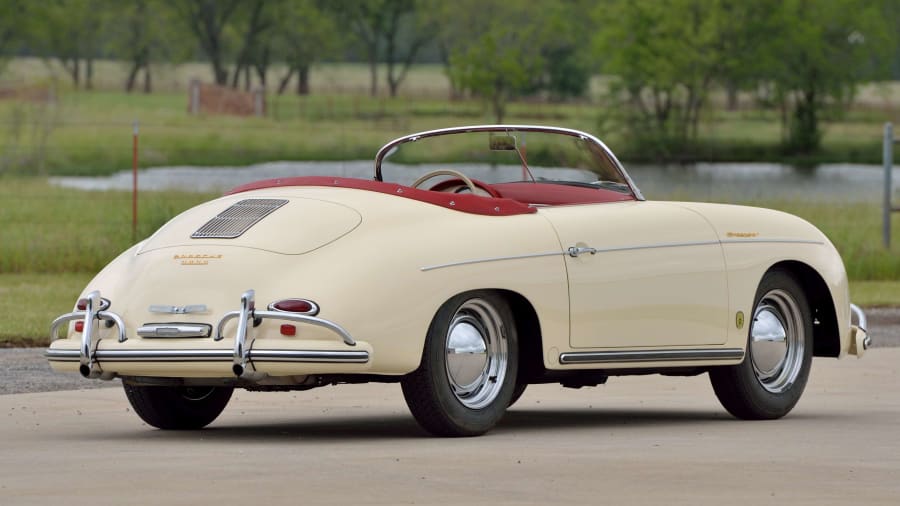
{"x": 383, "y": 152}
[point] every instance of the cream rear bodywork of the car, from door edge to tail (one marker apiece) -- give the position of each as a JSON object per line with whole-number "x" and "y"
{"x": 371, "y": 281}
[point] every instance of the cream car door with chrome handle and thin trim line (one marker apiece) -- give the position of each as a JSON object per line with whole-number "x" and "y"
{"x": 641, "y": 274}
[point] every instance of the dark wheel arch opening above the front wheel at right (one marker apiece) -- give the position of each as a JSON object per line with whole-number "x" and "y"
{"x": 826, "y": 333}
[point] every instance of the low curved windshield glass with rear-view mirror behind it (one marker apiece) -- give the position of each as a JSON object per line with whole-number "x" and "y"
{"x": 507, "y": 155}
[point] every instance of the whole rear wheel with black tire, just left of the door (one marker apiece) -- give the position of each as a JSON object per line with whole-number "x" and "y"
{"x": 469, "y": 364}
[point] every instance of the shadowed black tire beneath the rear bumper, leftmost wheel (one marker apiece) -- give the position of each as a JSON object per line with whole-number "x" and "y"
{"x": 178, "y": 408}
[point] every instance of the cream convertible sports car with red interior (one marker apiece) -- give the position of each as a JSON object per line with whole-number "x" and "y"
{"x": 478, "y": 260}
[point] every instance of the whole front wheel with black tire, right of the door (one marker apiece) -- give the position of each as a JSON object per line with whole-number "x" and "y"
{"x": 770, "y": 380}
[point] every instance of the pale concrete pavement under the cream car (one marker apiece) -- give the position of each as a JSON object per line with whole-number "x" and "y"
{"x": 636, "y": 440}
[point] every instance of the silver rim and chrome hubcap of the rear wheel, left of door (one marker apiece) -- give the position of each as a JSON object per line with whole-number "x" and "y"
{"x": 476, "y": 354}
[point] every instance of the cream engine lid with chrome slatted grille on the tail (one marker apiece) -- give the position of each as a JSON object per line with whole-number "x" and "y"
{"x": 289, "y": 225}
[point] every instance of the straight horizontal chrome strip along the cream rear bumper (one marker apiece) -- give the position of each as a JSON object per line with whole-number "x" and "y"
{"x": 224, "y": 356}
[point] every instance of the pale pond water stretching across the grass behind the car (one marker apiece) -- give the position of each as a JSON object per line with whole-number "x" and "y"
{"x": 700, "y": 181}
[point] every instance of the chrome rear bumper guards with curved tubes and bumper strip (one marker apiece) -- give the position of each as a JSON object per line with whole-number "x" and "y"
{"x": 241, "y": 356}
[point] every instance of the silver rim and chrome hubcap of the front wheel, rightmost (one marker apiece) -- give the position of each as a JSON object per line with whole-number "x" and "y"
{"x": 777, "y": 341}
